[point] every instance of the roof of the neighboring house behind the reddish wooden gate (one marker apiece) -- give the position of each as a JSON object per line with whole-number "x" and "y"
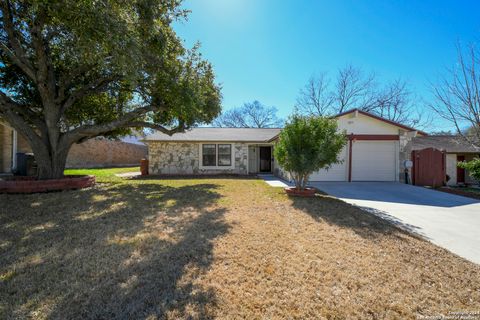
{"x": 449, "y": 143}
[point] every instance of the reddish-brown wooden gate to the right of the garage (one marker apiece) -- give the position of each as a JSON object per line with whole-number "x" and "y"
{"x": 429, "y": 167}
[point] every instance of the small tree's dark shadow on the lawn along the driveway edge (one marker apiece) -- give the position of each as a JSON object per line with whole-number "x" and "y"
{"x": 342, "y": 214}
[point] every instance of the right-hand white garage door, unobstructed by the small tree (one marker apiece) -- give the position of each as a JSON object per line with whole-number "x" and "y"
{"x": 374, "y": 161}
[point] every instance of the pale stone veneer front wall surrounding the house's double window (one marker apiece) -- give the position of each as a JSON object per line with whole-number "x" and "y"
{"x": 183, "y": 158}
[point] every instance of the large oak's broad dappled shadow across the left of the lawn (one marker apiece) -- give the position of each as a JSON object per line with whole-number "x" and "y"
{"x": 125, "y": 251}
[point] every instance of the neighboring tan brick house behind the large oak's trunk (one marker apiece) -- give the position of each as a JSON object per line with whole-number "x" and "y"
{"x": 96, "y": 152}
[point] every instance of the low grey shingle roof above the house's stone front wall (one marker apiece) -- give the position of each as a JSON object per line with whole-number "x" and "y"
{"x": 218, "y": 134}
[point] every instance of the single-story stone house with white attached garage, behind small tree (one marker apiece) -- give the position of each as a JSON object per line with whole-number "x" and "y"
{"x": 374, "y": 152}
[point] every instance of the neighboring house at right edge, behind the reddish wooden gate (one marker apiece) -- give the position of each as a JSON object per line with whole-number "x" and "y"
{"x": 457, "y": 150}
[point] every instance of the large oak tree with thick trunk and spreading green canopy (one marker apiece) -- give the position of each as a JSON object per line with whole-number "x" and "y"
{"x": 72, "y": 70}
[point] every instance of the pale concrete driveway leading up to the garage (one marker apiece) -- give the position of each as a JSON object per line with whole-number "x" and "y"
{"x": 450, "y": 221}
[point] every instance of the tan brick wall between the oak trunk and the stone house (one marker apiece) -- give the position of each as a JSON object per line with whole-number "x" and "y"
{"x": 95, "y": 153}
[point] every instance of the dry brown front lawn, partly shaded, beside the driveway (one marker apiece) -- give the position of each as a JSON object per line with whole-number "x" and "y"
{"x": 216, "y": 248}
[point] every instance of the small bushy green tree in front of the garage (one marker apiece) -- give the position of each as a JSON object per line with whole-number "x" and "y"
{"x": 308, "y": 144}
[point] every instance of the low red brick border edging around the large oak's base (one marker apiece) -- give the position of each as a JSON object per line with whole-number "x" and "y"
{"x": 34, "y": 186}
